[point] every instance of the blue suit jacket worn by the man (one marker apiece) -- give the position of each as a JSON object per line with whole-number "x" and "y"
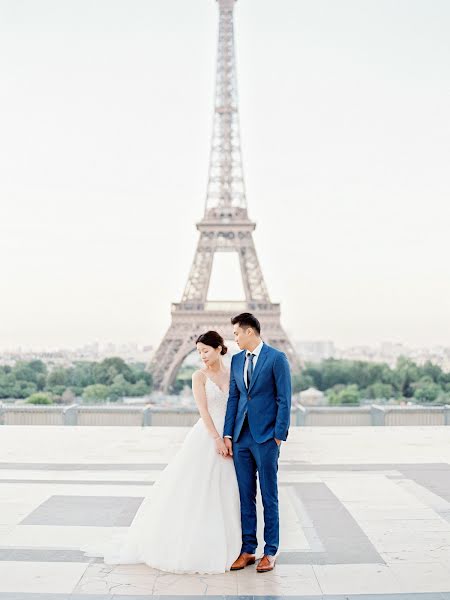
{"x": 267, "y": 402}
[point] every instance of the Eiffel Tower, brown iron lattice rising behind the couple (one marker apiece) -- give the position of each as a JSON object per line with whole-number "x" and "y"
{"x": 225, "y": 227}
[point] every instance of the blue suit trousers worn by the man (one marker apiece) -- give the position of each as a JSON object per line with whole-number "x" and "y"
{"x": 251, "y": 458}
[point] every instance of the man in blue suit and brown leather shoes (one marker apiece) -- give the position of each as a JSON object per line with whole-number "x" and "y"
{"x": 257, "y": 419}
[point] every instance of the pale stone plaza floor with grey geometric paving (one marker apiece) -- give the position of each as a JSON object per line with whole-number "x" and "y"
{"x": 365, "y": 513}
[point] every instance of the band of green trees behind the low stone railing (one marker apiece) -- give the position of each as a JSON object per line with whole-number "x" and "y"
{"x": 343, "y": 381}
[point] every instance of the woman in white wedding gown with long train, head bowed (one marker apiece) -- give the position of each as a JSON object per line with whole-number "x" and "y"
{"x": 190, "y": 523}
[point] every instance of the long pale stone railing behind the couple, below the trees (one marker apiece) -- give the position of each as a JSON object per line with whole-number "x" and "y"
{"x": 126, "y": 415}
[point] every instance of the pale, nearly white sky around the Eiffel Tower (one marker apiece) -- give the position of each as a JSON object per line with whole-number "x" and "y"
{"x": 105, "y": 124}
